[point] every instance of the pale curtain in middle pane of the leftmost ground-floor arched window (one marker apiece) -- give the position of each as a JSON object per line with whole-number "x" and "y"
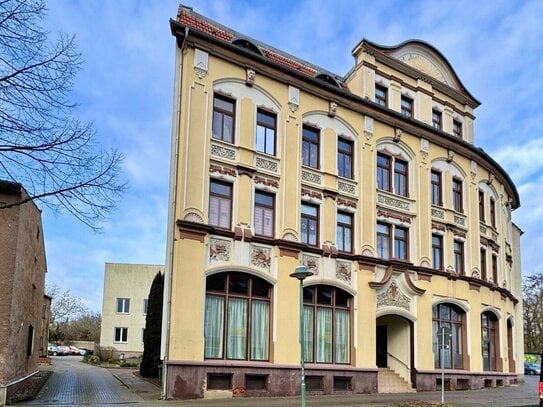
{"x": 237, "y": 329}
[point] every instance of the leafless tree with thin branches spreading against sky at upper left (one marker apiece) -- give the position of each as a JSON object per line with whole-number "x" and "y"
{"x": 42, "y": 145}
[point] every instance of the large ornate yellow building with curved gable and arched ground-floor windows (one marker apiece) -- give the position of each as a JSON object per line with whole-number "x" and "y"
{"x": 373, "y": 181}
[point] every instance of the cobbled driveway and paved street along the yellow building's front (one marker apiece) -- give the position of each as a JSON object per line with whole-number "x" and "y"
{"x": 78, "y": 384}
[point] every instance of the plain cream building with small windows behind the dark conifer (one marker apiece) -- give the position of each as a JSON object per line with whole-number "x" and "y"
{"x": 122, "y": 328}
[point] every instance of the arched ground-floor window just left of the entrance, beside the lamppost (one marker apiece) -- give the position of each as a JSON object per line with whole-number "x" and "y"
{"x": 327, "y": 324}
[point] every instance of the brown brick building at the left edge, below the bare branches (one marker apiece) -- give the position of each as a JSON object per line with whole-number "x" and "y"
{"x": 24, "y": 323}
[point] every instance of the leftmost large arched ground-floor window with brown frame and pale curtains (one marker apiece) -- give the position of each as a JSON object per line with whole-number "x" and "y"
{"x": 237, "y": 317}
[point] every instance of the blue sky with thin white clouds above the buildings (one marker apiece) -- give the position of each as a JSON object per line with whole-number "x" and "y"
{"x": 126, "y": 90}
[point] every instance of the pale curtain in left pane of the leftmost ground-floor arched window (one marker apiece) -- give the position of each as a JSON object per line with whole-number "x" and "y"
{"x": 213, "y": 327}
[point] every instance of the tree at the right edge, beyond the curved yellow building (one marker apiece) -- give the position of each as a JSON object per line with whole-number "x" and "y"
{"x": 532, "y": 290}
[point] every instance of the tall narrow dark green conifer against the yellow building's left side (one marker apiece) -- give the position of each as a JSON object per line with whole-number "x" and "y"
{"x": 149, "y": 366}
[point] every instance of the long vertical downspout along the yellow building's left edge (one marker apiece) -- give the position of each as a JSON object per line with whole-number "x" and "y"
{"x": 172, "y": 203}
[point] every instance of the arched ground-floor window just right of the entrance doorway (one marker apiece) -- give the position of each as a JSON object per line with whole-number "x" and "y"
{"x": 451, "y": 318}
